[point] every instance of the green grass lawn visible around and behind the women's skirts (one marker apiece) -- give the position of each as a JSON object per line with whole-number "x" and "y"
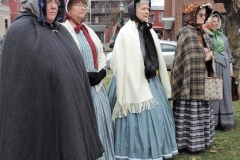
{"x": 226, "y": 142}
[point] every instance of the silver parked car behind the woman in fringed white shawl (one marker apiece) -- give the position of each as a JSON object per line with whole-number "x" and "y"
{"x": 168, "y": 50}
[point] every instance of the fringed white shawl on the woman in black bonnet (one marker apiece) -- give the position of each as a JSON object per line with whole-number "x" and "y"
{"x": 133, "y": 92}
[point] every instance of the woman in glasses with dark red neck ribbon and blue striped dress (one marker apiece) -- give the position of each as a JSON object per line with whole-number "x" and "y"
{"x": 91, "y": 50}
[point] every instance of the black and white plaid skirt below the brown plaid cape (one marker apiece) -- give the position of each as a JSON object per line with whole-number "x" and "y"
{"x": 194, "y": 123}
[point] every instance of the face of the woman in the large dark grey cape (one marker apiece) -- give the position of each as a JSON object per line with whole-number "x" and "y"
{"x": 51, "y": 10}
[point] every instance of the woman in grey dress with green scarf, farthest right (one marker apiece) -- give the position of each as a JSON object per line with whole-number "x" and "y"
{"x": 223, "y": 110}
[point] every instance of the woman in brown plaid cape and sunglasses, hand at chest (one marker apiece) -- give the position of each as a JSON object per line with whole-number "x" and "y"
{"x": 193, "y": 57}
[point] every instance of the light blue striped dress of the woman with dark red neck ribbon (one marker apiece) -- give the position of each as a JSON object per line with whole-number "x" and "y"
{"x": 101, "y": 103}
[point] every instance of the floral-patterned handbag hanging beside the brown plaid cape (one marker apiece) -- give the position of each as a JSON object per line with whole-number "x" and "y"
{"x": 213, "y": 87}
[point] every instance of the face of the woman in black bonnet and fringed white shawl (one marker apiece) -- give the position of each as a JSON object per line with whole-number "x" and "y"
{"x": 142, "y": 12}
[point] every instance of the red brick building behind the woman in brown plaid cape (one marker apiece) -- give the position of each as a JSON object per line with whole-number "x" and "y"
{"x": 174, "y": 18}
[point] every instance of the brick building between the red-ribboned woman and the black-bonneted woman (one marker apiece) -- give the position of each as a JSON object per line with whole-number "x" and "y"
{"x": 103, "y": 17}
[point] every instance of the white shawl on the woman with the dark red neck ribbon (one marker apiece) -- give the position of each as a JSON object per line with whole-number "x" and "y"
{"x": 98, "y": 45}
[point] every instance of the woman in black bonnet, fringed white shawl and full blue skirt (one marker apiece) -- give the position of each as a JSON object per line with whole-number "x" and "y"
{"x": 143, "y": 120}
